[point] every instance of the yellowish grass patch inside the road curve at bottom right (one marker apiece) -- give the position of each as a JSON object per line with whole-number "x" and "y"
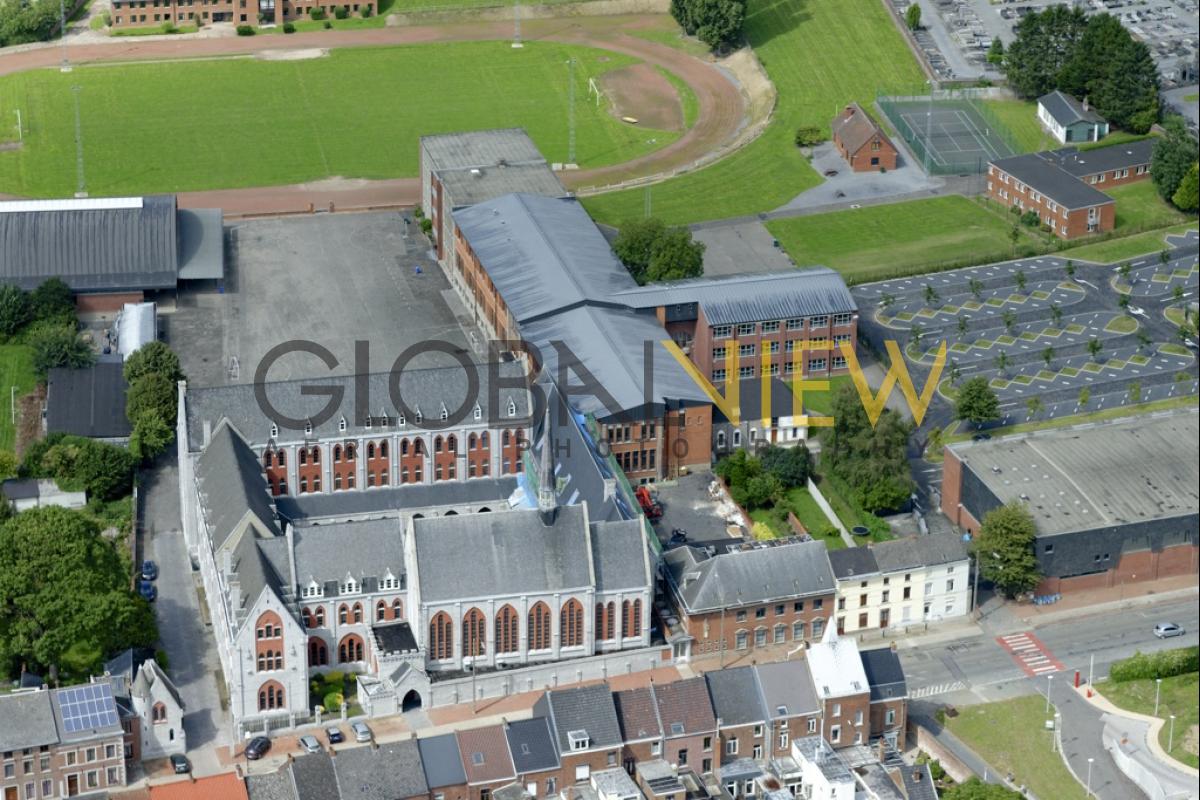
{"x": 1011, "y": 737}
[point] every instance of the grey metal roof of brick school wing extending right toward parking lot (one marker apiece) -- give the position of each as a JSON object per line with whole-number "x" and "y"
{"x": 752, "y": 298}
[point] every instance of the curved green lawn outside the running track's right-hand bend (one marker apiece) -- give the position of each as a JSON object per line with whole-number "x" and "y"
{"x": 821, "y": 55}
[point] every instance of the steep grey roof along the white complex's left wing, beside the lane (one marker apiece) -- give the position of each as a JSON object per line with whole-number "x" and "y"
{"x": 232, "y": 483}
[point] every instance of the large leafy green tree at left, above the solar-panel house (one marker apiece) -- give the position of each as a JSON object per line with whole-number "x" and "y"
{"x": 65, "y": 594}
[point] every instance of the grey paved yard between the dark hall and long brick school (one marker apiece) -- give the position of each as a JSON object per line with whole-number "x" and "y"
{"x": 346, "y": 278}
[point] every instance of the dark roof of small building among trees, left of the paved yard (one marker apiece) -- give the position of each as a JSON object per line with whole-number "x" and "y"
{"x": 88, "y": 402}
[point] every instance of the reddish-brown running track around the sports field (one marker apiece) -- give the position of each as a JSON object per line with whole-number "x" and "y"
{"x": 721, "y": 104}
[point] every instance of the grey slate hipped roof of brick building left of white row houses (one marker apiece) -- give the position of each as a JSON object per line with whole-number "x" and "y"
{"x": 752, "y": 576}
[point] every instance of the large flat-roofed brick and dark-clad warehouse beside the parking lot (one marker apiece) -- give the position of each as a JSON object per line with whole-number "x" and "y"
{"x": 1114, "y": 503}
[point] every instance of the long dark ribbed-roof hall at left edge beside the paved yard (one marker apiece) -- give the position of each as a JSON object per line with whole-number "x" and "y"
{"x": 110, "y": 251}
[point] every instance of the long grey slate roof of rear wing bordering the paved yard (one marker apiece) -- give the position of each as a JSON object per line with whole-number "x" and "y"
{"x": 422, "y": 390}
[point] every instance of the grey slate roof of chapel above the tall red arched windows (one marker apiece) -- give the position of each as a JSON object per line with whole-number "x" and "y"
{"x": 512, "y": 554}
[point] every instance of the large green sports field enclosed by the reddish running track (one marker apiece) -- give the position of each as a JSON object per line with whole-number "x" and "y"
{"x": 358, "y": 113}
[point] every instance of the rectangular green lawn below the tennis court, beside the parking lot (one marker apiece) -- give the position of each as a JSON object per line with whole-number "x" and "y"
{"x": 899, "y": 239}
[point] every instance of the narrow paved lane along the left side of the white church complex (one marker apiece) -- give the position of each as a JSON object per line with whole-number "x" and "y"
{"x": 189, "y": 643}
